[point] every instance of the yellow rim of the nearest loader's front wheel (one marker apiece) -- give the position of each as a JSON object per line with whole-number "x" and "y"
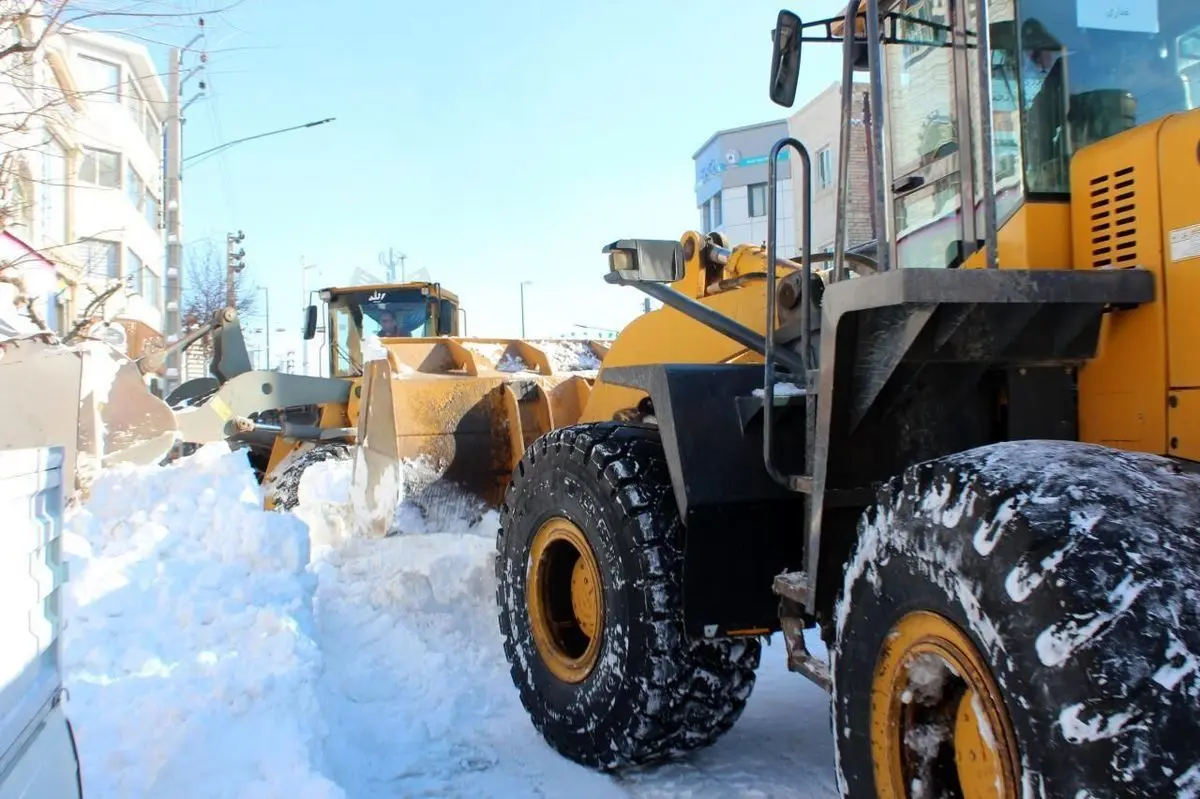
{"x": 566, "y": 600}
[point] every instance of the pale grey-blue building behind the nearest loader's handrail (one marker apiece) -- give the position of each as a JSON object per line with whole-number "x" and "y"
{"x": 731, "y": 187}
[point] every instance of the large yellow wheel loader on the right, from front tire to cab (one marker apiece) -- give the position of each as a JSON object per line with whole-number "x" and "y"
{"x": 968, "y": 461}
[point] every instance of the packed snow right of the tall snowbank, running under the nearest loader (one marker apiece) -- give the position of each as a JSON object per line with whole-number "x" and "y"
{"x": 418, "y": 696}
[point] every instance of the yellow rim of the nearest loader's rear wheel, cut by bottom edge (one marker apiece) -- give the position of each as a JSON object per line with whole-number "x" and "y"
{"x": 939, "y": 718}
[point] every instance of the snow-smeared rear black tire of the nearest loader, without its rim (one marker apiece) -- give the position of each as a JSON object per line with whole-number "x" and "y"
{"x": 1076, "y": 572}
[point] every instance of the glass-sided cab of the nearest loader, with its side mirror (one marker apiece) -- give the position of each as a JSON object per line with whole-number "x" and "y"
{"x": 1064, "y": 76}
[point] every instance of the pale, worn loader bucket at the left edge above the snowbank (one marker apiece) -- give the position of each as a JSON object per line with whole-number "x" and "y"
{"x": 89, "y": 400}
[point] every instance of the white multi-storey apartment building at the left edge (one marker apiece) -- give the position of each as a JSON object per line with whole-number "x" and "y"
{"x": 81, "y": 179}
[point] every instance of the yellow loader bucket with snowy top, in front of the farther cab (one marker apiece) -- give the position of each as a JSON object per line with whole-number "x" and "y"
{"x": 459, "y": 413}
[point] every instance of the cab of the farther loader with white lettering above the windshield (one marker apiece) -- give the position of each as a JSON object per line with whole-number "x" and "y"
{"x": 368, "y": 314}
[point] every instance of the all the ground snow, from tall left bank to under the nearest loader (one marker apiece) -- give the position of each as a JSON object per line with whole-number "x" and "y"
{"x": 214, "y": 650}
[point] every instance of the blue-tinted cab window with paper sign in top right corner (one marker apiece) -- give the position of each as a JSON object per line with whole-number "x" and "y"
{"x": 1091, "y": 70}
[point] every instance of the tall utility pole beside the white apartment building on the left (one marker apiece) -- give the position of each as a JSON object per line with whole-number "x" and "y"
{"x": 172, "y": 171}
